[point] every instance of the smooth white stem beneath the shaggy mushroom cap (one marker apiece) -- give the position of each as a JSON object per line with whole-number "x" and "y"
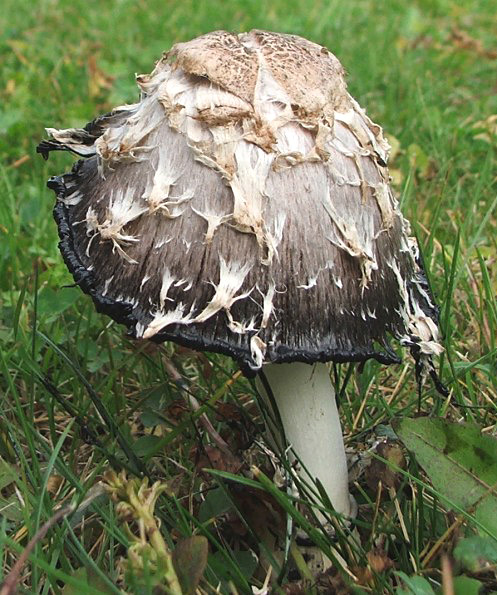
{"x": 305, "y": 398}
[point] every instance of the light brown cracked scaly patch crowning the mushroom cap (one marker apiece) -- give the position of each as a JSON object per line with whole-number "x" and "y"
{"x": 309, "y": 73}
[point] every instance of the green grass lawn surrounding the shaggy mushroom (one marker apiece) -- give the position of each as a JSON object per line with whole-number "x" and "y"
{"x": 77, "y": 396}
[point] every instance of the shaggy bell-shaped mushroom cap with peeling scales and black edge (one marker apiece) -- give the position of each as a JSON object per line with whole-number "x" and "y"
{"x": 243, "y": 206}
